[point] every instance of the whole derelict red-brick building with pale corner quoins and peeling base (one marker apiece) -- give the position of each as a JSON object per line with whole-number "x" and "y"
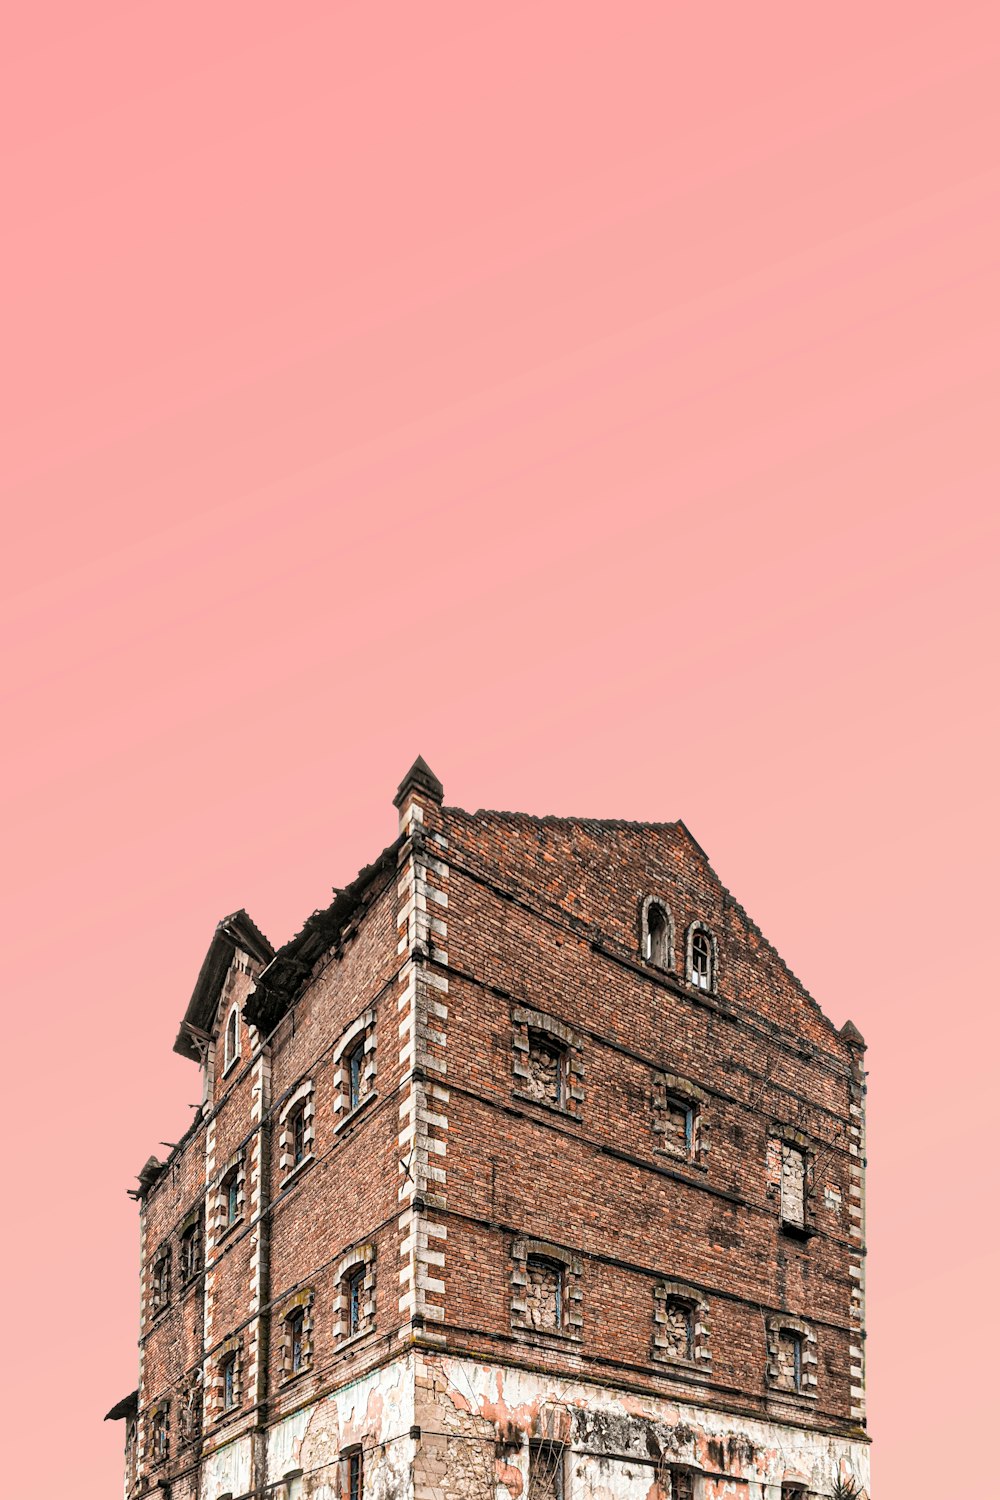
{"x": 525, "y": 1171}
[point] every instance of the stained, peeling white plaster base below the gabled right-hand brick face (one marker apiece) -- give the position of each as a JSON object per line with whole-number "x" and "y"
{"x": 618, "y": 1447}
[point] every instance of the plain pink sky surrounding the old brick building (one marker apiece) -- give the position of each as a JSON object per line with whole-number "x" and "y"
{"x": 602, "y": 401}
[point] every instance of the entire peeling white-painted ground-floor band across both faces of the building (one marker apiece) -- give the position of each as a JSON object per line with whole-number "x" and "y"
{"x": 478, "y": 1423}
